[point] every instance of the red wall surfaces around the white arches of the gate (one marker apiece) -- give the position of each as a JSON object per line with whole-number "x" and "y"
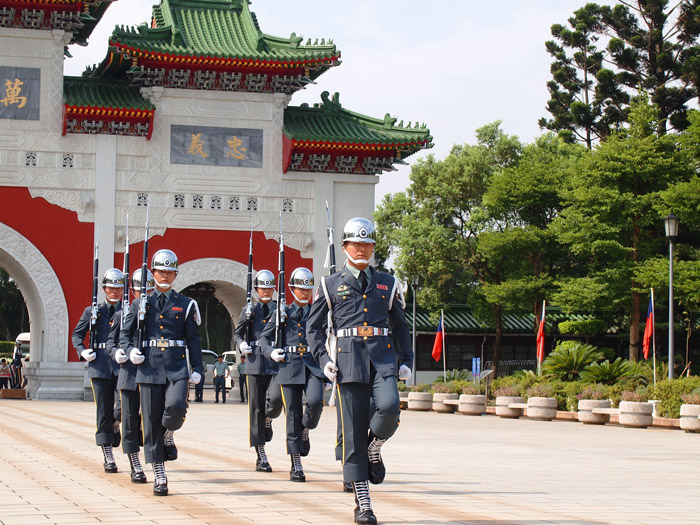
{"x": 67, "y": 245}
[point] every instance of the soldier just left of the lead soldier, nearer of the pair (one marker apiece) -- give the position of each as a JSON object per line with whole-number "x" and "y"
{"x": 299, "y": 374}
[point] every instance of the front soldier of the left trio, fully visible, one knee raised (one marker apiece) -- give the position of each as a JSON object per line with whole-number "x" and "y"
{"x": 170, "y": 331}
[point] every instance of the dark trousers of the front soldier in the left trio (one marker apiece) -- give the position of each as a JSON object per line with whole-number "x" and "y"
{"x": 163, "y": 407}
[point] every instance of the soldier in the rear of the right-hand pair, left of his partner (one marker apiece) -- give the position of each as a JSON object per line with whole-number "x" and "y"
{"x": 264, "y": 394}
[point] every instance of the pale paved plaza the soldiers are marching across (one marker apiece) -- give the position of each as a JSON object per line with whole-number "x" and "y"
{"x": 442, "y": 469}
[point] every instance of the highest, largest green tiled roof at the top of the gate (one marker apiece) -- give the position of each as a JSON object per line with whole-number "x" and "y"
{"x": 220, "y": 29}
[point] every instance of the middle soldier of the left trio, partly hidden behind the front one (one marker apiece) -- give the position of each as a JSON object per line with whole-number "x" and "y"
{"x": 126, "y": 385}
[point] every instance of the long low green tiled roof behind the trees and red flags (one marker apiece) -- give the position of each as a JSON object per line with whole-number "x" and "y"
{"x": 459, "y": 320}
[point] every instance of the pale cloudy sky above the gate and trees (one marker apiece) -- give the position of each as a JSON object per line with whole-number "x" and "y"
{"x": 455, "y": 65}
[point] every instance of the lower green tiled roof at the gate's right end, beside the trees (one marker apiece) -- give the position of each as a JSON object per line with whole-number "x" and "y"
{"x": 328, "y": 122}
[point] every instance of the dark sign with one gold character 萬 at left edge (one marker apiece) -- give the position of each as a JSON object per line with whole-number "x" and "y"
{"x": 20, "y": 93}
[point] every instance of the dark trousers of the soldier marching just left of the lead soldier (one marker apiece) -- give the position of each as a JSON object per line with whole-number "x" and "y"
{"x": 299, "y": 416}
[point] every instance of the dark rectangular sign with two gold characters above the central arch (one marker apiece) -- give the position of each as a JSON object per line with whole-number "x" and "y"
{"x": 210, "y": 146}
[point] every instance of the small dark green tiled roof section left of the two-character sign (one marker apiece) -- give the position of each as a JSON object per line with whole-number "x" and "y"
{"x": 95, "y": 92}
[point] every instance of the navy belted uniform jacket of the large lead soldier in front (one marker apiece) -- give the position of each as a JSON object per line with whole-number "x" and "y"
{"x": 379, "y": 306}
